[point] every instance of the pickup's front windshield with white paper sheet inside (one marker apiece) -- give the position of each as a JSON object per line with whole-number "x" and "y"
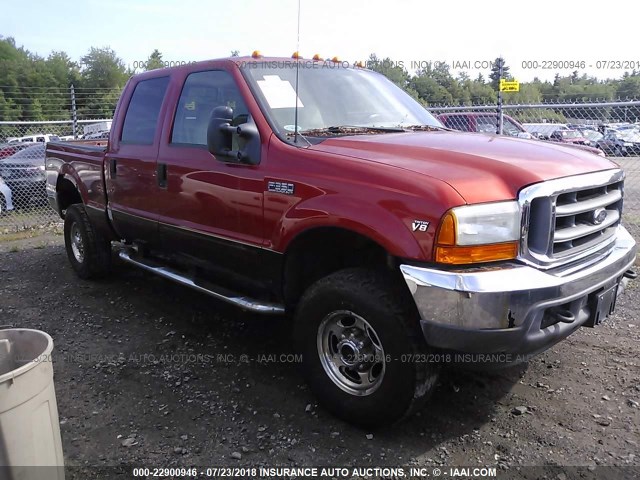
{"x": 332, "y": 96}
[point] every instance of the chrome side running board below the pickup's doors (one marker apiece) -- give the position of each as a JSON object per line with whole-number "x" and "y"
{"x": 214, "y": 291}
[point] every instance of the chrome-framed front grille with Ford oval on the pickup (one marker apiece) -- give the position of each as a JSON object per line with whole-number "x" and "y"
{"x": 570, "y": 218}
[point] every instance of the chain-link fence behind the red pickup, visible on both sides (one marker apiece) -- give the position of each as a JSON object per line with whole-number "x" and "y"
{"x": 612, "y": 128}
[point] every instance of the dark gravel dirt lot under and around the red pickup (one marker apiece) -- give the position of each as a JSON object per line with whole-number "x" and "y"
{"x": 150, "y": 373}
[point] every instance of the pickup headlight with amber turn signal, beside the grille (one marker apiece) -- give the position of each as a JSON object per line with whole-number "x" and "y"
{"x": 479, "y": 233}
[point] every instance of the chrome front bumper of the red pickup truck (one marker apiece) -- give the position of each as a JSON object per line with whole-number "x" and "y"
{"x": 505, "y": 309}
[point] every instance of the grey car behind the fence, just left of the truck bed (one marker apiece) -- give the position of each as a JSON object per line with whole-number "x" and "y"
{"x": 24, "y": 173}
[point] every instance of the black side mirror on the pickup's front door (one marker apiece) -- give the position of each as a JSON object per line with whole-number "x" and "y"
{"x": 229, "y": 138}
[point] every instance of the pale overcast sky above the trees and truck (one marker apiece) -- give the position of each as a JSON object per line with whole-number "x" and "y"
{"x": 463, "y": 32}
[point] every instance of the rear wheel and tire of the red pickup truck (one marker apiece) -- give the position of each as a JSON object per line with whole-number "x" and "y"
{"x": 92, "y": 255}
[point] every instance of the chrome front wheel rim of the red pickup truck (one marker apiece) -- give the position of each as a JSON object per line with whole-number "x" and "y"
{"x": 351, "y": 353}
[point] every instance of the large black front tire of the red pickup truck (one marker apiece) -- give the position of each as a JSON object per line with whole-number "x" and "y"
{"x": 407, "y": 377}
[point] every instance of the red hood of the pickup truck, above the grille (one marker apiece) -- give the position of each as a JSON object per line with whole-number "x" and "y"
{"x": 481, "y": 168}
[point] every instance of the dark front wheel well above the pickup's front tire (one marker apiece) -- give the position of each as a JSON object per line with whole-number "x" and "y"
{"x": 322, "y": 251}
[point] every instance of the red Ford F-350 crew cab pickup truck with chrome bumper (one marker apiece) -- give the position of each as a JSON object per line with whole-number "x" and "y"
{"x": 395, "y": 244}
